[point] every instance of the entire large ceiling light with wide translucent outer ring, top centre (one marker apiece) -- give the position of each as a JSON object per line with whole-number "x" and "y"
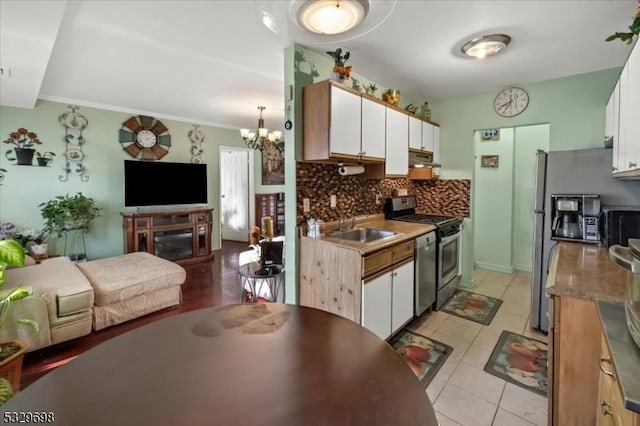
{"x": 320, "y": 22}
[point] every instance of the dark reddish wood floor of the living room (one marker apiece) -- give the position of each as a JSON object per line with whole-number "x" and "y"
{"x": 207, "y": 284}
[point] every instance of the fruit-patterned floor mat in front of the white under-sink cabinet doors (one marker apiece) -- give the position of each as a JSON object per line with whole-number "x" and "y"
{"x": 424, "y": 356}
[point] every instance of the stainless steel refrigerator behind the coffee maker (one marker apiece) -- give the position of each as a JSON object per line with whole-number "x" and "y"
{"x": 584, "y": 171}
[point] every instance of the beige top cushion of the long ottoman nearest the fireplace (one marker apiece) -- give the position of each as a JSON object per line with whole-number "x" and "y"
{"x": 122, "y": 277}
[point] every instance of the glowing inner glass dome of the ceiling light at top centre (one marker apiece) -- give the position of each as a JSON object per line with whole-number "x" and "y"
{"x": 332, "y": 16}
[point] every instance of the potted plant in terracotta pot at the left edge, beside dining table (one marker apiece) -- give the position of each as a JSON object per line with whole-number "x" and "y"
{"x": 11, "y": 352}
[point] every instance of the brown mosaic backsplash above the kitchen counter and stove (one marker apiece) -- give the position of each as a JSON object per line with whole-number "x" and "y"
{"x": 357, "y": 196}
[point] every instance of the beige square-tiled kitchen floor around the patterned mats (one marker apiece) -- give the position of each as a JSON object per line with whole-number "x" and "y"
{"x": 462, "y": 393}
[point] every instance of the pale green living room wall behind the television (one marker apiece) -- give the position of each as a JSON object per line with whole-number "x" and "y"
{"x": 25, "y": 187}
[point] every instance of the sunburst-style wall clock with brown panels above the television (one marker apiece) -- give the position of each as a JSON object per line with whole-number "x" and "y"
{"x": 145, "y": 137}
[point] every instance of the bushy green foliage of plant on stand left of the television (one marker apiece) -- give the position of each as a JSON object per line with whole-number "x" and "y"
{"x": 66, "y": 212}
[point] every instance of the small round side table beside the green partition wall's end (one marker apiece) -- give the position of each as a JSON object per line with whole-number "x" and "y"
{"x": 260, "y": 282}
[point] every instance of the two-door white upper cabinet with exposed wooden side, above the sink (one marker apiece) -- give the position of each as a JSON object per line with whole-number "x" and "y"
{"x": 334, "y": 118}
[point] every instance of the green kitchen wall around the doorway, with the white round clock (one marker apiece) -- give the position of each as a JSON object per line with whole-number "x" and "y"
{"x": 573, "y": 106}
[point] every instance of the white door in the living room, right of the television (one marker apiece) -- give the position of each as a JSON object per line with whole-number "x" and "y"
{"x": 236, "y": 185}
